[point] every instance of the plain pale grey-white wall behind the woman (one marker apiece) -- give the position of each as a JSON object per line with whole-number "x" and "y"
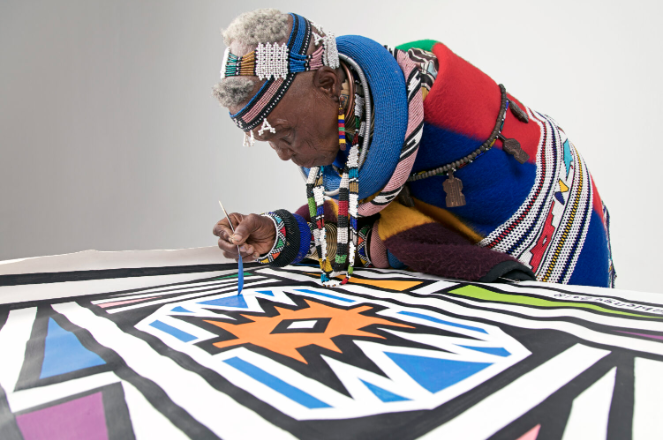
{"x": 110, "y": 139}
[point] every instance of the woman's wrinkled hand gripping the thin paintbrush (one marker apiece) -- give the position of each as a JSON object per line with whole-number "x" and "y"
{"x": 254, "y": 234}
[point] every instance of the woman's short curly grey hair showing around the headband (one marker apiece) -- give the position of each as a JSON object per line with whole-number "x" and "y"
{"x": 242, "y": 36}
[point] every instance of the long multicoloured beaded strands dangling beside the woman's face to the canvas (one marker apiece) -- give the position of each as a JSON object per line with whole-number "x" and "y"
{"x": 348, "y": 200}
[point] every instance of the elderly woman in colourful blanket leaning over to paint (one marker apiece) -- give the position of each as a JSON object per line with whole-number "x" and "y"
{"x": 413, "y": 159}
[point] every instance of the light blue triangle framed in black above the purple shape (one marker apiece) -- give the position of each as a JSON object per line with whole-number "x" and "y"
{"x": 64, "y": 353}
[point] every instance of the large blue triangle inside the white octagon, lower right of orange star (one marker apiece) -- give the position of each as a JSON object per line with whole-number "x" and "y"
{"x": 436, "y": 374}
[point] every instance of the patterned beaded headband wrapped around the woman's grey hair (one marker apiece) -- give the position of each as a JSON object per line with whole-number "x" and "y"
{"x": 278, "y": 65}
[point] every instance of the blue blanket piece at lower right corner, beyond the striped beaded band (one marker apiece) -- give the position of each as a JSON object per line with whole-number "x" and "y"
{"x": 592, "y": 266}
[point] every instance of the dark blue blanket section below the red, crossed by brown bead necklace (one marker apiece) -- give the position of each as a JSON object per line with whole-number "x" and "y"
{"x": 494, "y": 185}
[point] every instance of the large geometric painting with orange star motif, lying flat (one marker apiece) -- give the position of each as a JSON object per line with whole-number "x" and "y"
{"x": 392, "y": 354}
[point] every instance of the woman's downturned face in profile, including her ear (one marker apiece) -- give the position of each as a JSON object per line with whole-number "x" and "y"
{"x": 305, "y": 120}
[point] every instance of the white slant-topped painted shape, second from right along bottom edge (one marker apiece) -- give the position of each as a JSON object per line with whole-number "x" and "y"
{"x": 590, "y": 410}
